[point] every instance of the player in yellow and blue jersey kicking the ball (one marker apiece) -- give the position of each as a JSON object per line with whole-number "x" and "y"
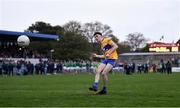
{"x": 110, "y": 56}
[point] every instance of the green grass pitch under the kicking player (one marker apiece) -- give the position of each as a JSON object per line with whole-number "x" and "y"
{"x": 68, "y": 90}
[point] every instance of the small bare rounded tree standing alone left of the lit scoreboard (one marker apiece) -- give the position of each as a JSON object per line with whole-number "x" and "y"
{"x": 136, "y": 41}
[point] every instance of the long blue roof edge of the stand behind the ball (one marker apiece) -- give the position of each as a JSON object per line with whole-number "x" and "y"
{"x": 13, "y": 35}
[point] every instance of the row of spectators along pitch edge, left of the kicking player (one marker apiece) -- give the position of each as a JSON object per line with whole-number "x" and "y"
{"x": 23, "y": 67}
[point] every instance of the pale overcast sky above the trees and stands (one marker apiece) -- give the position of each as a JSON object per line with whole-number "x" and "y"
{"x": 152, "y": 18}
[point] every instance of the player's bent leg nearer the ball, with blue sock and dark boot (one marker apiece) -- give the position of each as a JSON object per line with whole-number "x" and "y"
{"x": 97, "y": 77}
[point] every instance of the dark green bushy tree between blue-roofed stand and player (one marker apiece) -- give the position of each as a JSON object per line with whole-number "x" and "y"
{"x": 73, "y": 47}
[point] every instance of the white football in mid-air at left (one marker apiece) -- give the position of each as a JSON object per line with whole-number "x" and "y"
{"x": 23, "y": 40}
